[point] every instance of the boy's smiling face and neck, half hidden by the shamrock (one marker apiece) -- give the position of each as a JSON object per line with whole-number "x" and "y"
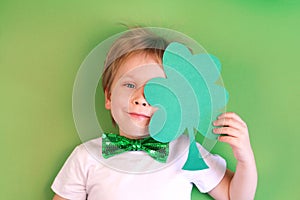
{"x": 126, "y": 101}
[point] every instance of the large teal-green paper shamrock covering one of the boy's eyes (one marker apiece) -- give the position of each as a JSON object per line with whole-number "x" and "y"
{"x": 188, "y": 99}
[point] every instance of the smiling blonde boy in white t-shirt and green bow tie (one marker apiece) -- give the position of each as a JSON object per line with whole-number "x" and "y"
{"x": 134, "y": 59}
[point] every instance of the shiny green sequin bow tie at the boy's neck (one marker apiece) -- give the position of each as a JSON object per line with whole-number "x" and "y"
{"x": 113, "y": 144}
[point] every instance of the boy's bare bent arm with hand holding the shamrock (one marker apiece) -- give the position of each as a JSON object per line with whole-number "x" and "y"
{"x": 241, "y": 184}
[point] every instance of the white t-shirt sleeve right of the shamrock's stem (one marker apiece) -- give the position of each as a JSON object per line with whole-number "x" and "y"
{"x": 207, "y": 179}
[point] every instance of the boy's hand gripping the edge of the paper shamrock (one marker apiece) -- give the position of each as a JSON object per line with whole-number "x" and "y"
{"x": 235, "y": 134}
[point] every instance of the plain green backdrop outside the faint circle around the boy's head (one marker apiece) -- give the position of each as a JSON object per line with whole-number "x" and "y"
{"x": 42, "y": 45}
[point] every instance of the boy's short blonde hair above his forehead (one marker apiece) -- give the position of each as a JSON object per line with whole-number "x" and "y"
{"x": 133, "y": 42}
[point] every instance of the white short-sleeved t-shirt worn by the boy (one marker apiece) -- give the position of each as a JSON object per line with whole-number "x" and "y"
{"x": 134, "y": 175}
